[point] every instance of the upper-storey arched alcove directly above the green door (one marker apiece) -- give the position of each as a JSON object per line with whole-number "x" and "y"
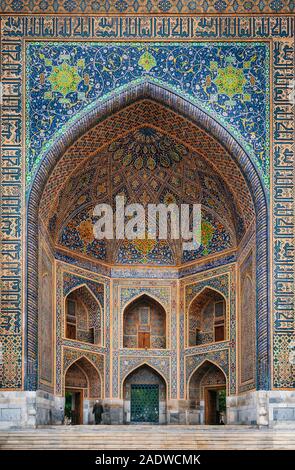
{"x": 144, "y": 324}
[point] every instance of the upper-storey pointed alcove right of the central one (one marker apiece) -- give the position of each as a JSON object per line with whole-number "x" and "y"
{"x": 207, "y": 318}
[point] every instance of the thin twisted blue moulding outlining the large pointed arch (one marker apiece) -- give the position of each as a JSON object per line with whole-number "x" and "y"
{"x": 193, "y": 114}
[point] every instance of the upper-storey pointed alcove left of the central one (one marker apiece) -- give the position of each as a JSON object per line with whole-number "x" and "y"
{"x": 82, "y": 316}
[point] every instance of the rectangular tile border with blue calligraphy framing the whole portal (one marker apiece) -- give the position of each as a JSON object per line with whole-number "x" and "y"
{"x": 279, "y": 32}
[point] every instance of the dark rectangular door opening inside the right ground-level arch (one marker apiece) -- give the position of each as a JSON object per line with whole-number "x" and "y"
{"x": 215, "y": 406}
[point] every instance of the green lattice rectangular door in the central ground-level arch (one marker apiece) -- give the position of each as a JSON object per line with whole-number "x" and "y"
{"x": 144, "y": 403}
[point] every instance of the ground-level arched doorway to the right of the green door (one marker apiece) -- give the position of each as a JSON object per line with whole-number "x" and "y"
{"x": 207, "y": 395}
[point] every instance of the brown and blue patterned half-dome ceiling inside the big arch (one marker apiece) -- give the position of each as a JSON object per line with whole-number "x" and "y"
{"x": 145, "y": 166}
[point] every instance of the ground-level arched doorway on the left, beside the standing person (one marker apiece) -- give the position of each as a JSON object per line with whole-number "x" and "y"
{"x": 82, "y": 387}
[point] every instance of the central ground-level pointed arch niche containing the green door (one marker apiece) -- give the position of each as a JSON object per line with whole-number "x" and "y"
{"x": 144, "y": 393}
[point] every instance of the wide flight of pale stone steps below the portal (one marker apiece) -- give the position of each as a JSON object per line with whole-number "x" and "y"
{"x": 147, "y": 438}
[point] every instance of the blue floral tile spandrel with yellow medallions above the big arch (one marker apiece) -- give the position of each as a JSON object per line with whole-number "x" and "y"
{"x": 227, "y": 80}
